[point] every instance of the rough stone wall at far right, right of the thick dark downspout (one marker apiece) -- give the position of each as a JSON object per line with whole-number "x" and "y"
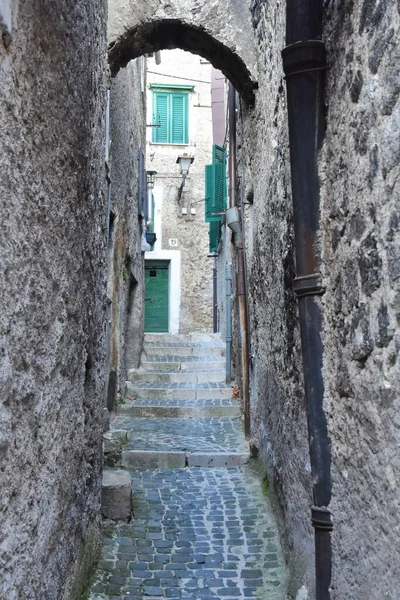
{"x": 360, "y": 174}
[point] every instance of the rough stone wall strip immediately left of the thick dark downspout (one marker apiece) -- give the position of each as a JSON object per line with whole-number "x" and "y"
{"x": 277, "y": 399}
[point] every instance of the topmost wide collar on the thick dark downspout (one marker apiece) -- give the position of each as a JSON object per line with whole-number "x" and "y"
{"x": 302, "y": 57}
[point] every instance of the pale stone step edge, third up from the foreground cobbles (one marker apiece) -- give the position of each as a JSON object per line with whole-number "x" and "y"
{"x": 179, "y": 391}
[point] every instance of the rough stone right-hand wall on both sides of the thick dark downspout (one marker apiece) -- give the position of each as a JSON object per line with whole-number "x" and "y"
{"x": 359, "y": 242}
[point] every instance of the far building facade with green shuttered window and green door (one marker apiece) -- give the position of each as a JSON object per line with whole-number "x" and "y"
{"x": 179, "y": 274}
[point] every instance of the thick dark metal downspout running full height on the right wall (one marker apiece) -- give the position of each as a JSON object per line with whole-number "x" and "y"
{"x": 304, "y": 65}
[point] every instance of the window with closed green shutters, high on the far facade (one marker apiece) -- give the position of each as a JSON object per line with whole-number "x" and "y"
{"x": 170, "y": 114}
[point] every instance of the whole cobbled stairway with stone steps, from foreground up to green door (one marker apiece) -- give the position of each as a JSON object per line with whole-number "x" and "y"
{"x": 177, "y": 457}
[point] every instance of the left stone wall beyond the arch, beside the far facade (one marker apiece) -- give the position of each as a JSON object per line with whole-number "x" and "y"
{"x": 126, "y": 277}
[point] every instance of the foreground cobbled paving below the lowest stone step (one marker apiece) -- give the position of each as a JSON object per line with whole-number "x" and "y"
{"x": 197, "y": 534}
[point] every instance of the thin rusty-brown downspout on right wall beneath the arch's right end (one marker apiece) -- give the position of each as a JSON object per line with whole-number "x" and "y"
{"x": 241, "y": 268}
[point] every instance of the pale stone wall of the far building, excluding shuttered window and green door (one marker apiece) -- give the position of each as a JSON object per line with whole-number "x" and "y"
{"x": 190, "y": 231}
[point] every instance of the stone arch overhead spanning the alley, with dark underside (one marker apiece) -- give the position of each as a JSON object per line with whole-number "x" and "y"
{"x": 220, "y": 31}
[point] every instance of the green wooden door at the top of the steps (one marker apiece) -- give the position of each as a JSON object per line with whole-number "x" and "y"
{"x": 156, "y": 297}
